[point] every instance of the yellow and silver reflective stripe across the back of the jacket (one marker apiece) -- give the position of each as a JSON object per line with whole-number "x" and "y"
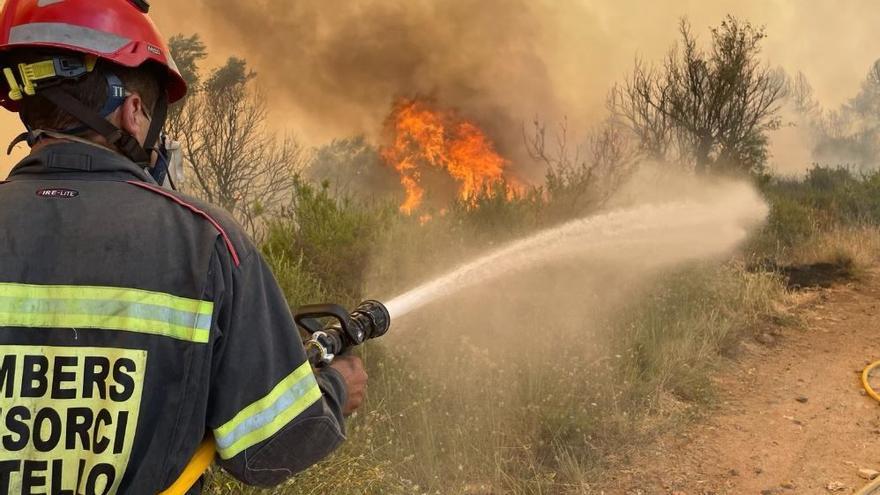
{"x": 107, "y": 308}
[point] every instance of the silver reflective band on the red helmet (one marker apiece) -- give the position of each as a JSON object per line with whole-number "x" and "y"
{"x": 67, "y": 34}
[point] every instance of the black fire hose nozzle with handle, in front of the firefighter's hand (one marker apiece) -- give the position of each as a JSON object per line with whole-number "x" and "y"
{"x": 327, "y": 340}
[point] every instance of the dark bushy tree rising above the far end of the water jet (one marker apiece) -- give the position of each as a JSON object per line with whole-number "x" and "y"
{"x": 708, "y": 108}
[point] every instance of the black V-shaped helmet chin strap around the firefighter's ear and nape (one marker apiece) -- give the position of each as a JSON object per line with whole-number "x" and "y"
{"x": 122, "y": 140}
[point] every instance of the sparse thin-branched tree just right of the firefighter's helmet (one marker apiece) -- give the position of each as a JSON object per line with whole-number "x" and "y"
{"x": 235, "y": 161}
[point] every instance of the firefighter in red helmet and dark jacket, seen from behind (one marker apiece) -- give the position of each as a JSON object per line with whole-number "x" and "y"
{"x": 134, "y": 320}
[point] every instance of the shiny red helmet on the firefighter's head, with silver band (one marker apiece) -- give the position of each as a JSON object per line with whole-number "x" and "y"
{"x": 118, "y": 31}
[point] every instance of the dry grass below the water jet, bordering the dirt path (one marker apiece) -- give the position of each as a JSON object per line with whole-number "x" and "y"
{"x": 537, "y": 417}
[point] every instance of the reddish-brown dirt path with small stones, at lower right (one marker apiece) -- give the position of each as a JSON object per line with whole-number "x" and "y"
{"x": 792, "y": 418}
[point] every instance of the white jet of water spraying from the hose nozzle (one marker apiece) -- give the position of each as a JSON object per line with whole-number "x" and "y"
{"x": 655, "y": 235}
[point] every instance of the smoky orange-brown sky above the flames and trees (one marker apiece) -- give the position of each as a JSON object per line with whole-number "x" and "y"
{"x": 333, "y": 67}
